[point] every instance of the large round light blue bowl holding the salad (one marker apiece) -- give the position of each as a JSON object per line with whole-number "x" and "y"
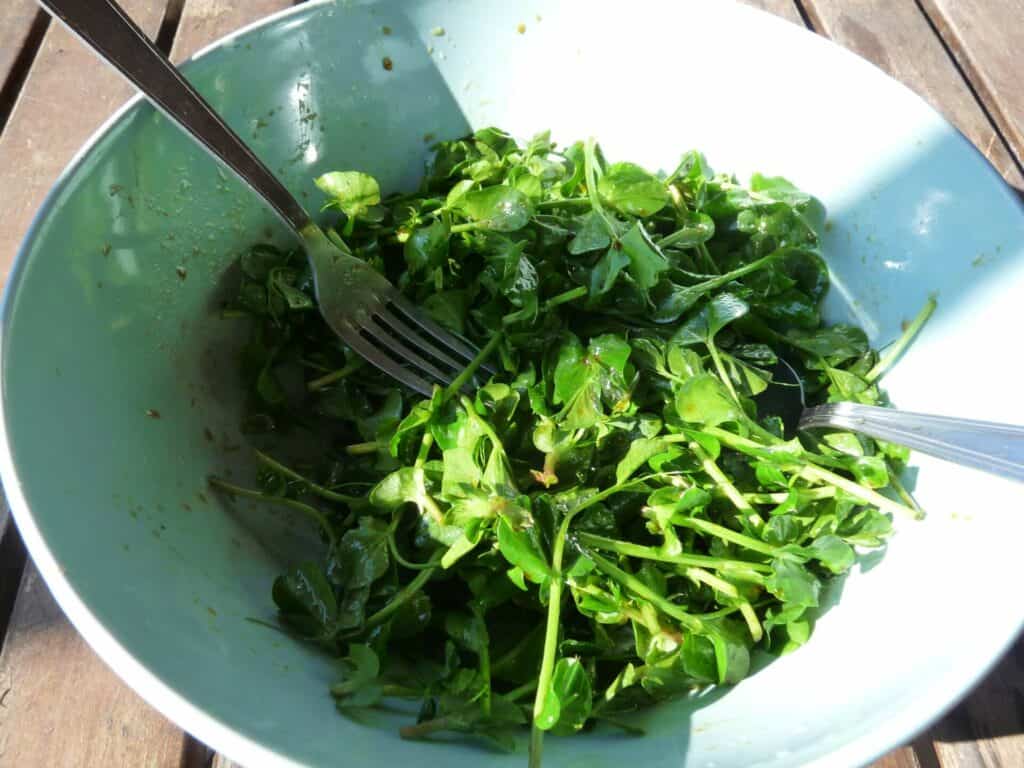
{"x": 100, "y": 328}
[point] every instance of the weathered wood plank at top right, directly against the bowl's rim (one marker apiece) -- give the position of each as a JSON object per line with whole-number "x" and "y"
{"x": 897, "y": 36}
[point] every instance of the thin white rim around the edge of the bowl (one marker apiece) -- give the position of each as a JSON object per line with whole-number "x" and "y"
{"x": 932, "y": 703}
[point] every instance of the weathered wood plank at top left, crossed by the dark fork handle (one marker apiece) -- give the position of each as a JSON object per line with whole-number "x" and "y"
{"x": 67, "y": 89}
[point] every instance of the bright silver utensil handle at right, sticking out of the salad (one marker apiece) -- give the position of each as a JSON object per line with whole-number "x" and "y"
{"x": 994, "y": 448}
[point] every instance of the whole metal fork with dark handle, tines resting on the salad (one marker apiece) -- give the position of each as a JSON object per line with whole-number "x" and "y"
{"x": 359, "y": 304}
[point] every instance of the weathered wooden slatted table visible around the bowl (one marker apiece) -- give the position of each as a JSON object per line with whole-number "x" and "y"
{"x": 60, "y": 705}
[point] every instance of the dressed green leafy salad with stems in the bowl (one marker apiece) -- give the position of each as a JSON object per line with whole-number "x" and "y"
{"x": 614, "y": 519}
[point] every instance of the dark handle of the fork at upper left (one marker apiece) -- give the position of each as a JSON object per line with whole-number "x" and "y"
{"x": 105, "y": 27}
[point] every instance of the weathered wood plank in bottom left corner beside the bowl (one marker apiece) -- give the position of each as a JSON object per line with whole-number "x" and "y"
{"x": 63, "y": 708}
